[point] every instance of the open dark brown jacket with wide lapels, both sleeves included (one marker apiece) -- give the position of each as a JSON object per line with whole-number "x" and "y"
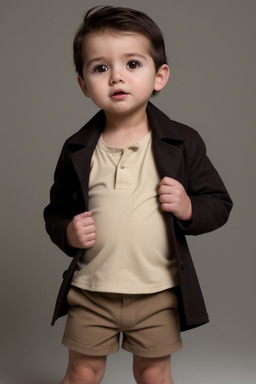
{"x": 179, "y": 153}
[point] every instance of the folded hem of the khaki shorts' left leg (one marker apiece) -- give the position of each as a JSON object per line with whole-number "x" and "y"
{"x": 90, "y": 351}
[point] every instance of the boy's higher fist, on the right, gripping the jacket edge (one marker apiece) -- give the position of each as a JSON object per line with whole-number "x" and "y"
{"x": 174, "y": 199}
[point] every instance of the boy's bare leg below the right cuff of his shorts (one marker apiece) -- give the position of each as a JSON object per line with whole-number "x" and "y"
{"x": 152, "y": 370}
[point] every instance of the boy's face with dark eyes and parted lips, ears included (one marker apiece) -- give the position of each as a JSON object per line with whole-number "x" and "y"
{"x": 119, "y": 72}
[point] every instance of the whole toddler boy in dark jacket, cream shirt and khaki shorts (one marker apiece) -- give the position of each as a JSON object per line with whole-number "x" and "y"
{"x": 128, "y": 187}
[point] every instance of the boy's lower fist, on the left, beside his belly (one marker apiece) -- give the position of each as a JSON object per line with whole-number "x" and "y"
{"x": 80, "y": 233}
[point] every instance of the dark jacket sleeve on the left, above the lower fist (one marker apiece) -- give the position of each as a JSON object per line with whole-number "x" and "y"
{"x": 61, "y": 209}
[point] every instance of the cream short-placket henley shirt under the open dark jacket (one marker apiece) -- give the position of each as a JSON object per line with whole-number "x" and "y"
{"x": 133, "y": 253}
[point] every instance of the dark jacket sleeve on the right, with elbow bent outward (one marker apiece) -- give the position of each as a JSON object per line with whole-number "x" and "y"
{"x": 211, "y": 203}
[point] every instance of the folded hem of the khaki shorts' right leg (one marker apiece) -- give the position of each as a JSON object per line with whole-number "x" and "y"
{"x": 153, "y": 352}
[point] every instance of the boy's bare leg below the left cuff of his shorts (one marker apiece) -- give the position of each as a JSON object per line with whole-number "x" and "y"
{"x": 83, "y": 369}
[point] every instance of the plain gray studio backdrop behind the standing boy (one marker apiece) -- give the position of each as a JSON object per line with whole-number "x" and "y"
{"x": 211, "y": 50}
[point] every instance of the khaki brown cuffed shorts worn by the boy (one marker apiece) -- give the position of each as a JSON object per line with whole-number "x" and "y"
{"x": 149, "y": 323}
